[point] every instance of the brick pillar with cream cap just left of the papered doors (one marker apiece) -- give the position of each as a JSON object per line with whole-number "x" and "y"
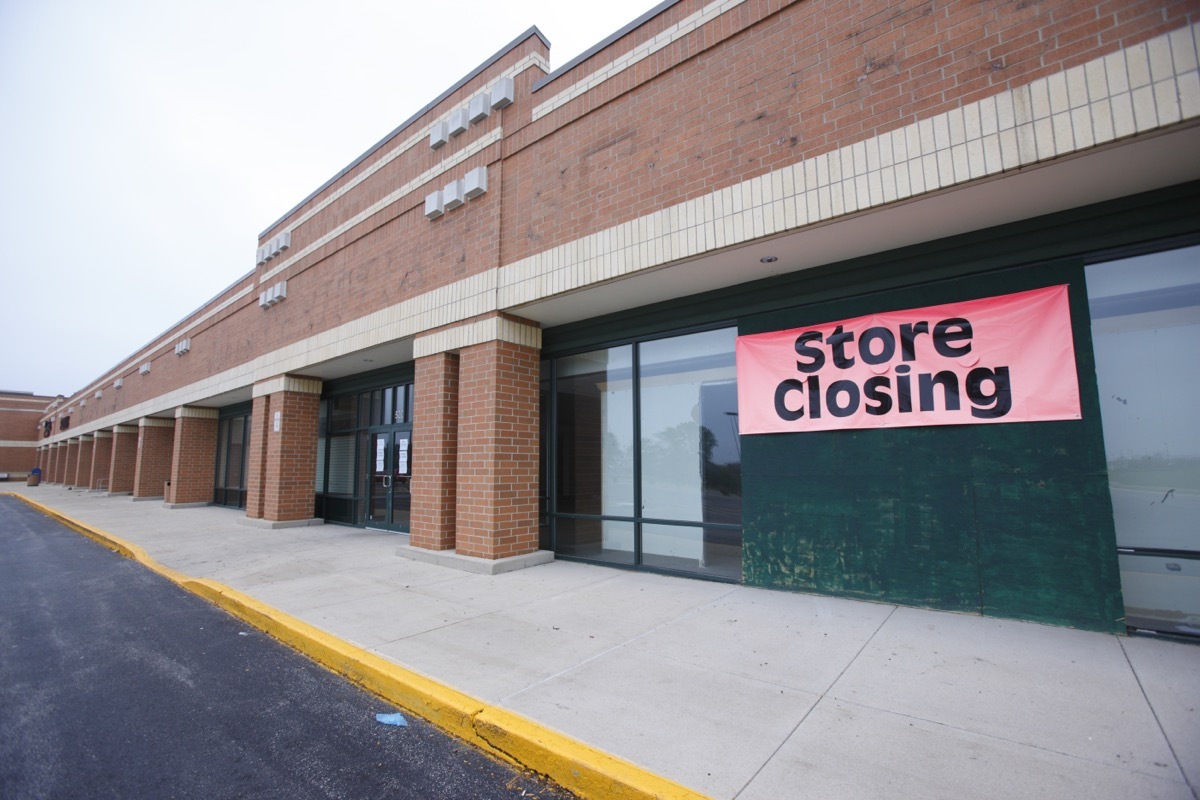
{"x": 283, "y": 483}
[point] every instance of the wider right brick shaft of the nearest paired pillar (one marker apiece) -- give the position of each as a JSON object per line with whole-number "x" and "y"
{"x": 499, "y": 418}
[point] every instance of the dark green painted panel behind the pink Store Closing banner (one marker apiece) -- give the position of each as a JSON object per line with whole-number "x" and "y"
{"x": 1010, "y": 521}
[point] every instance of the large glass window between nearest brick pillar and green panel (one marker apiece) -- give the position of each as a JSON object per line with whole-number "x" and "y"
{"x": 647, "y": 461}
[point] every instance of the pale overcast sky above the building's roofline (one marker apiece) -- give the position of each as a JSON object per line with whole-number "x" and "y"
{"x": 146, "y": 145}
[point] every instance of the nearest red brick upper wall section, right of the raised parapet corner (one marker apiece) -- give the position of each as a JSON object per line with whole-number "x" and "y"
{"x": 793, "y": 86}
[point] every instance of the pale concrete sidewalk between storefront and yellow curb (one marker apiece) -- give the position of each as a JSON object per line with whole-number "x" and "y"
{"x": 733, "y": 691}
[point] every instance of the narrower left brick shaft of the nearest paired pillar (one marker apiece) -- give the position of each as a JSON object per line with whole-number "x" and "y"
{"x": 435, "y": 452}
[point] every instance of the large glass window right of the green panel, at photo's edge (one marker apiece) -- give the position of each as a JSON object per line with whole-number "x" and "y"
{"x": 1147, "y": 335}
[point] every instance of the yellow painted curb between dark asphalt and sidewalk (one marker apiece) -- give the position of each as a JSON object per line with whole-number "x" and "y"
{"x": 580, "y": 768}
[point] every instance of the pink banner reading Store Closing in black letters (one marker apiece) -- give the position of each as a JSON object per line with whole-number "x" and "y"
{"x": 1007, "y": 359}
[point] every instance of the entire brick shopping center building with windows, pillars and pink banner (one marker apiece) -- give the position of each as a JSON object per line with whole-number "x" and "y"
{"x": 896, "y": 303}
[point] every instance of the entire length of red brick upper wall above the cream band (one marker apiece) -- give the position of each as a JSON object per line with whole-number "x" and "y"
{"x": 765, "y": 86}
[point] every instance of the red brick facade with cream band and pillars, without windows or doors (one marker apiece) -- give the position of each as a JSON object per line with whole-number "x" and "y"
{"x": 705, "y": 148}
